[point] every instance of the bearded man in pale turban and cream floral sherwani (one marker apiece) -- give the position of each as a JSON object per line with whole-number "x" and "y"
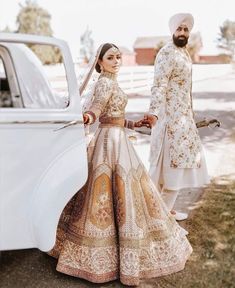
{"x": 176, "y": 156}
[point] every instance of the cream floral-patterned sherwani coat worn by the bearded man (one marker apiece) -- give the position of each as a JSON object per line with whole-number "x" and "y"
{"x": 175, "y": 129}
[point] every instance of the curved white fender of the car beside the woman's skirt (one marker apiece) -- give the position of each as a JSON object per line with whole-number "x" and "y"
{"x": 58, "y": 184}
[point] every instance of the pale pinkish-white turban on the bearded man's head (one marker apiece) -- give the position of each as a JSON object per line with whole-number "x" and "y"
{"x": 179, "y": 19}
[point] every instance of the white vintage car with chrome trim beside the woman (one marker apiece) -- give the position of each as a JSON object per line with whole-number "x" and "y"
{"x": 41, "y": 166}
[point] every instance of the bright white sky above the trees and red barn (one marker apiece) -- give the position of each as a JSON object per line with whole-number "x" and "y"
{"x": 121, "y": 21}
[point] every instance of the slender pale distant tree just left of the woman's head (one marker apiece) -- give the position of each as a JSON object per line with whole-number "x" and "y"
{"x": 87, "y": 45}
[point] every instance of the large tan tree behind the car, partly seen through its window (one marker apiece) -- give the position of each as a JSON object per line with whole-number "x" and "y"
{"x": 33, "y": 19}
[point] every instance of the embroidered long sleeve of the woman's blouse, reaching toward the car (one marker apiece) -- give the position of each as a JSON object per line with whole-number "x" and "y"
{"x": 102, "y": 94}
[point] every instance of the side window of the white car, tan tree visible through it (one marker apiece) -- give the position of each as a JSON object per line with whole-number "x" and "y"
{"x": 33, "y": 77}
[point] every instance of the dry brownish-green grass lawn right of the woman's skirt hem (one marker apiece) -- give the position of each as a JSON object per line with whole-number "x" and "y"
{"x": 212, "y": 234}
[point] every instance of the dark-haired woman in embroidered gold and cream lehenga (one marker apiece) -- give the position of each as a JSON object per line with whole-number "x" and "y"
{"x": 117, "y": 225}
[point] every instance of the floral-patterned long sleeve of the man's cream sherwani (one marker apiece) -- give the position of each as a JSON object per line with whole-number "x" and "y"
{"x": 164, "y": 64}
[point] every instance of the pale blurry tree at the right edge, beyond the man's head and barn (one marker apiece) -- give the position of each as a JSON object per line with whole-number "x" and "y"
{"x": 226, "y": 40}
